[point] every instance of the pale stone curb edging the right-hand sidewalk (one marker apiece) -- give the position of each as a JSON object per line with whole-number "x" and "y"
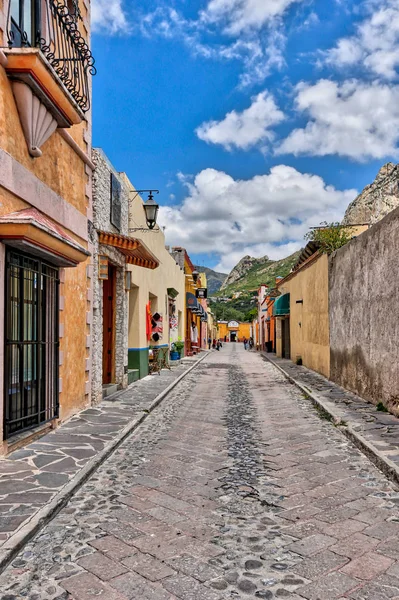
{"x": 388, "y": 467}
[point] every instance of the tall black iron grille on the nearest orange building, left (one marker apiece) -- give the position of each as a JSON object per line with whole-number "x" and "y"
{"x": 31, "y": 343}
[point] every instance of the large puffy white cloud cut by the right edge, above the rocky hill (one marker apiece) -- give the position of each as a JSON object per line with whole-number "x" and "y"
{"x": 353, "y": 119}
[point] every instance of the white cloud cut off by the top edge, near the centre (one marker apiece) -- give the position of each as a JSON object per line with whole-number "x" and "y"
{"x": 241, "y": 15}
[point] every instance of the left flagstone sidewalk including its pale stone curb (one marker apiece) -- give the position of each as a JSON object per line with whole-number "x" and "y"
{"x": 40, "y": 478}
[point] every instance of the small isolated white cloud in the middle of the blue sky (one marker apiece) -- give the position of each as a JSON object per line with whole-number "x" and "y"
{"x": 245, "y": 129}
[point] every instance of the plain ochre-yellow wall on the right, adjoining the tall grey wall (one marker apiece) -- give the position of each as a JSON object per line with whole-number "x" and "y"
{"x": 309, "y": 321}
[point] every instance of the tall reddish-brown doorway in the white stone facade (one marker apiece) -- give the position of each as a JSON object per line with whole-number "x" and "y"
{"x": 109, "y": 286}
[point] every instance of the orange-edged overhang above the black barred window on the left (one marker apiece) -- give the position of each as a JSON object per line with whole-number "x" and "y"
{"x": 33, "y": 232}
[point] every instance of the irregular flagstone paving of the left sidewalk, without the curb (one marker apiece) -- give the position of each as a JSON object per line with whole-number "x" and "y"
{"x": 32, "y": 476}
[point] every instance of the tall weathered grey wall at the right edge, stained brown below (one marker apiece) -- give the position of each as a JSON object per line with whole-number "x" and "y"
{"x": 364, "y": 314}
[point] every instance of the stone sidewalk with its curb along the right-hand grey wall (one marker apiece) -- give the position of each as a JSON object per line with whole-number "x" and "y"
{"x": 375, "y": 433}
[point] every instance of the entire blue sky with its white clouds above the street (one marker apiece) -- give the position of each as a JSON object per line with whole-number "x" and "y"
{"x": 255, "y": 118}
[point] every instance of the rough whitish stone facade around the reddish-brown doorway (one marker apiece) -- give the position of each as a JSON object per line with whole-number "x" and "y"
{"x": 101, "y": 222}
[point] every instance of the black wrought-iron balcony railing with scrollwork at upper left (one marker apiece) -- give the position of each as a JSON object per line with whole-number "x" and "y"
{"x": 53, "y": 27}
